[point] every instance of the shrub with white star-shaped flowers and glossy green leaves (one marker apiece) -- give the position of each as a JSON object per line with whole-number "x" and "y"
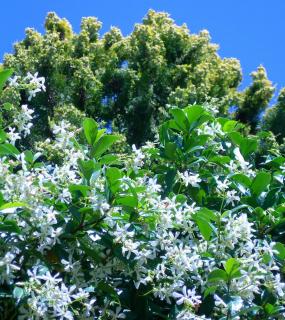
{"x": 186, "y": 227}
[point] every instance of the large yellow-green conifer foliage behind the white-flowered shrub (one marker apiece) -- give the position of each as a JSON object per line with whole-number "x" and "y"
{"x": 131, "y": 80}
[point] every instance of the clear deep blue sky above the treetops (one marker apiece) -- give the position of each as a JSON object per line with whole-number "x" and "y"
{"x": 250, "y": 30}
